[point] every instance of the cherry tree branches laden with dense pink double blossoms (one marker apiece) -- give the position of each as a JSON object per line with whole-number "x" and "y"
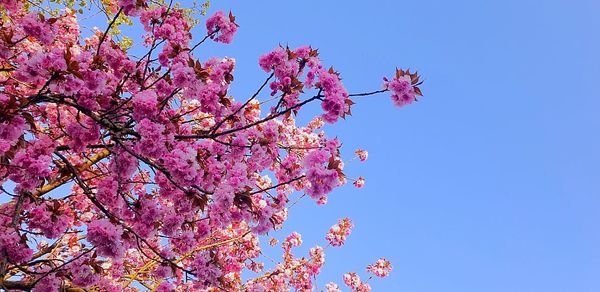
{"x": 121, "y": 172}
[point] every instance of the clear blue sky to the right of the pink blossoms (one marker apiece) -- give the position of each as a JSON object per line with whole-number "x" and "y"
{"x": 492, "y": 181}
